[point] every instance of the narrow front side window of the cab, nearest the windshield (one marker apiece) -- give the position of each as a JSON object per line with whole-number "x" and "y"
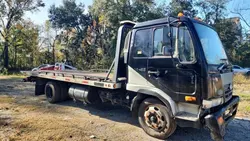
{"x": 185, "y": 45}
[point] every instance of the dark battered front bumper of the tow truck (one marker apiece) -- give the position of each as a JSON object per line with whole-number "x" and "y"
{"x": 217, "y": 121}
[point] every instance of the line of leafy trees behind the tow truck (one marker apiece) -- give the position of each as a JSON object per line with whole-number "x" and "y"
{"x": 88, "y": 38}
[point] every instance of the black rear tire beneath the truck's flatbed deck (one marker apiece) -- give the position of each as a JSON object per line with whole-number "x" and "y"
{"x": 52, "y": 92}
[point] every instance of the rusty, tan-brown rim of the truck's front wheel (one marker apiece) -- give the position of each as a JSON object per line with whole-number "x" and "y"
{"x": 155, "y": 119}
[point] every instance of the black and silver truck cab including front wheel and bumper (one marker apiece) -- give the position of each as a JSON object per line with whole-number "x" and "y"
{"x": 182, "y": 63}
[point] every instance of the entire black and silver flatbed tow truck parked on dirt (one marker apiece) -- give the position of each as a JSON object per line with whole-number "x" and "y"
{"x": 170, "y": 71}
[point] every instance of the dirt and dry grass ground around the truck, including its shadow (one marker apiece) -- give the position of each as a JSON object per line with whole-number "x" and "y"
{"x": 24, "y": 116}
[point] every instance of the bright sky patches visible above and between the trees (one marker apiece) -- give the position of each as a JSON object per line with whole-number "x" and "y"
{"x": 41, "y": 16}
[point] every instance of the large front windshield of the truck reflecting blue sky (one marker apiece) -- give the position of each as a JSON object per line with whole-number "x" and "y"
{"x": 211, "y": 44}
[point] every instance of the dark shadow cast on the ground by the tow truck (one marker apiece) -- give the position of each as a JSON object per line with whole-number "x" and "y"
{"x": 237, "y": 130}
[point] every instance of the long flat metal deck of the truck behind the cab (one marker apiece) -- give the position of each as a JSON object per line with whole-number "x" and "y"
{"x": 96, "y": 79}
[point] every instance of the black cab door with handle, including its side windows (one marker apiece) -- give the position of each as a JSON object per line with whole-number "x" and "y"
{"x": 174, "y": 74}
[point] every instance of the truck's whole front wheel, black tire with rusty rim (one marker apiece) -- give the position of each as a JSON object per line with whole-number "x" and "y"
{"x": 163, "y": 114}
